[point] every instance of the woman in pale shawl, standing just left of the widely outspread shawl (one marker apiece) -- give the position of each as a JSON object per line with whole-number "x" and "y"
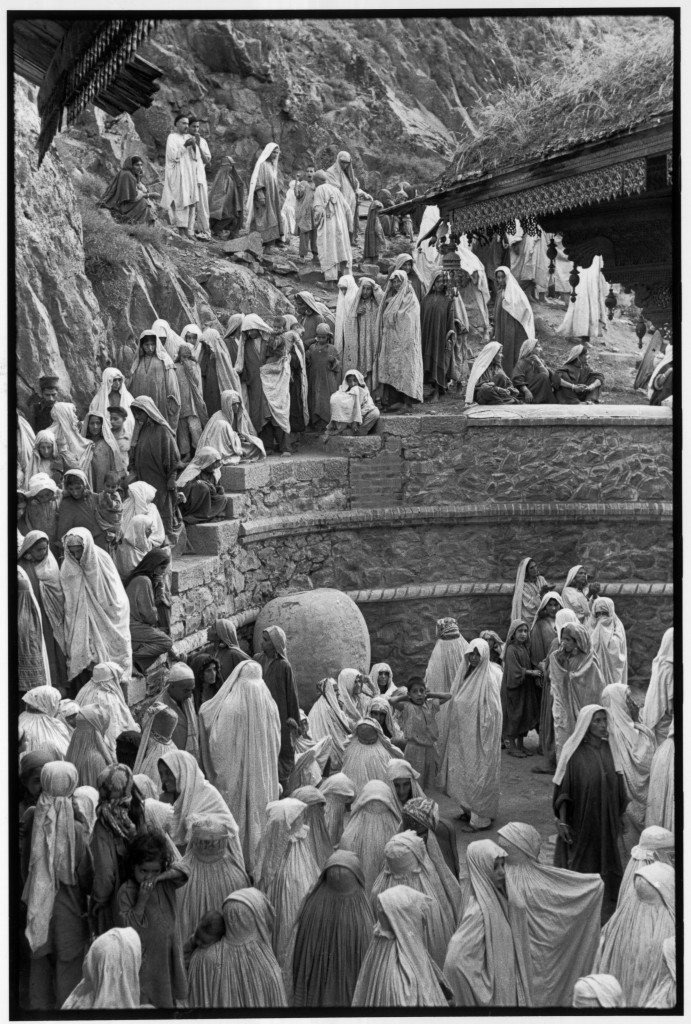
{"x": 489, "y": 958}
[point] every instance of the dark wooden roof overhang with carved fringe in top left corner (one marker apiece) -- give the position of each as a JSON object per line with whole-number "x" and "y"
{"x": 80, "y": 61}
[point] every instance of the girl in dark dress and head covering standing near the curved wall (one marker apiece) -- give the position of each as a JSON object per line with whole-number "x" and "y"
{"x": 521, "y": 701}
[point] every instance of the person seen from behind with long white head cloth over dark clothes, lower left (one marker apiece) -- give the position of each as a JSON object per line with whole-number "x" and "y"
{"x": 59, "y": 883}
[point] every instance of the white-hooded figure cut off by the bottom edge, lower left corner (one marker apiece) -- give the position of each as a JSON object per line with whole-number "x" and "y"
{"x": 111, "y": 974}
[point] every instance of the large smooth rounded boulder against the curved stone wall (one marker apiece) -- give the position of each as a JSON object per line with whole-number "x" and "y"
{"x": 326, "y": 632}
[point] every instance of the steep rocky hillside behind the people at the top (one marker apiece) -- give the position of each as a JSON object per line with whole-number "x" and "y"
{"x": 398, "y": 94}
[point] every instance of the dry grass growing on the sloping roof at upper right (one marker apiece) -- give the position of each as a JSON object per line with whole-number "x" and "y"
{"x": 599, "y": 88}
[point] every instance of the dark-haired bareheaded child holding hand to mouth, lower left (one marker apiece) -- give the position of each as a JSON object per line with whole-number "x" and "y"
{"x": 148, "y": 904}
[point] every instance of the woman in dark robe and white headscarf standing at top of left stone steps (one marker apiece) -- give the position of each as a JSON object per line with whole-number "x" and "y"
{"x": 154, "y": 459}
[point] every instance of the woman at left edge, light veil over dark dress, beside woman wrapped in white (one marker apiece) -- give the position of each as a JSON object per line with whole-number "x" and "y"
{"x": 38, "y": 563}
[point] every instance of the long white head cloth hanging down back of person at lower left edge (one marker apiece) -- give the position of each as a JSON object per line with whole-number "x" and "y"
{"x": 54, "y": 848}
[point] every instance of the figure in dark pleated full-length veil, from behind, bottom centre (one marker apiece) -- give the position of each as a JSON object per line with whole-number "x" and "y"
{"x": 333, "y": 933}
